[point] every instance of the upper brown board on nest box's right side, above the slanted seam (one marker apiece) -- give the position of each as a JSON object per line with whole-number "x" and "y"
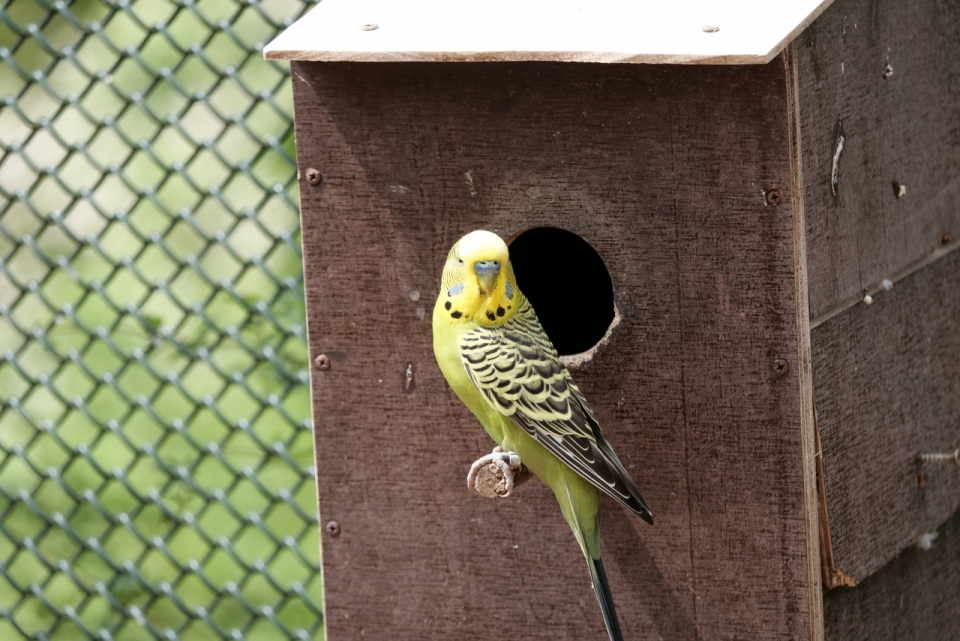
{"x": 885, "y": 75}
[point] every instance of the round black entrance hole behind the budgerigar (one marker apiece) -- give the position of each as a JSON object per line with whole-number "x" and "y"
{"x": 568, "y": 285}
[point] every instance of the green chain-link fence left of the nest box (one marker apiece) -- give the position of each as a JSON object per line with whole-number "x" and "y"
{"x": 155, "y": 435}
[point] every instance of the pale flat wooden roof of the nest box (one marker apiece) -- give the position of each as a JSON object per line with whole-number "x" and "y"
{"x": 748, "y": 31}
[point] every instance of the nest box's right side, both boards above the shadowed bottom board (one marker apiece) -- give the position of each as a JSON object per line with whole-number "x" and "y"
{"x": 880, "y": 129}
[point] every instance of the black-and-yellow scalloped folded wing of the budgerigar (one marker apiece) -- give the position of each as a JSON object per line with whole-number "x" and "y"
{"x": 518, "y": 371}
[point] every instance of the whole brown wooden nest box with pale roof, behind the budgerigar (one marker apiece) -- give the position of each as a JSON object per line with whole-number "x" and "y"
{"x": 774, "y": 191}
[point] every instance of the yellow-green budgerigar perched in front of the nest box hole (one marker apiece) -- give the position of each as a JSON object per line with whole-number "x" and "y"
{"x": 497, "y": 358}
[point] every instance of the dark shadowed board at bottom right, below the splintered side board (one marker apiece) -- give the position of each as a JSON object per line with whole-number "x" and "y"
{"x": 915, "y": 596}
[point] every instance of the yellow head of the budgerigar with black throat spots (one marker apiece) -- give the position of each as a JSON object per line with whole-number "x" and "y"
{"x": 478, "y": 283}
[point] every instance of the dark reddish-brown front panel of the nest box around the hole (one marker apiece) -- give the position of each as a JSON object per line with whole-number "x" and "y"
{"x": 661, "y": 169}
